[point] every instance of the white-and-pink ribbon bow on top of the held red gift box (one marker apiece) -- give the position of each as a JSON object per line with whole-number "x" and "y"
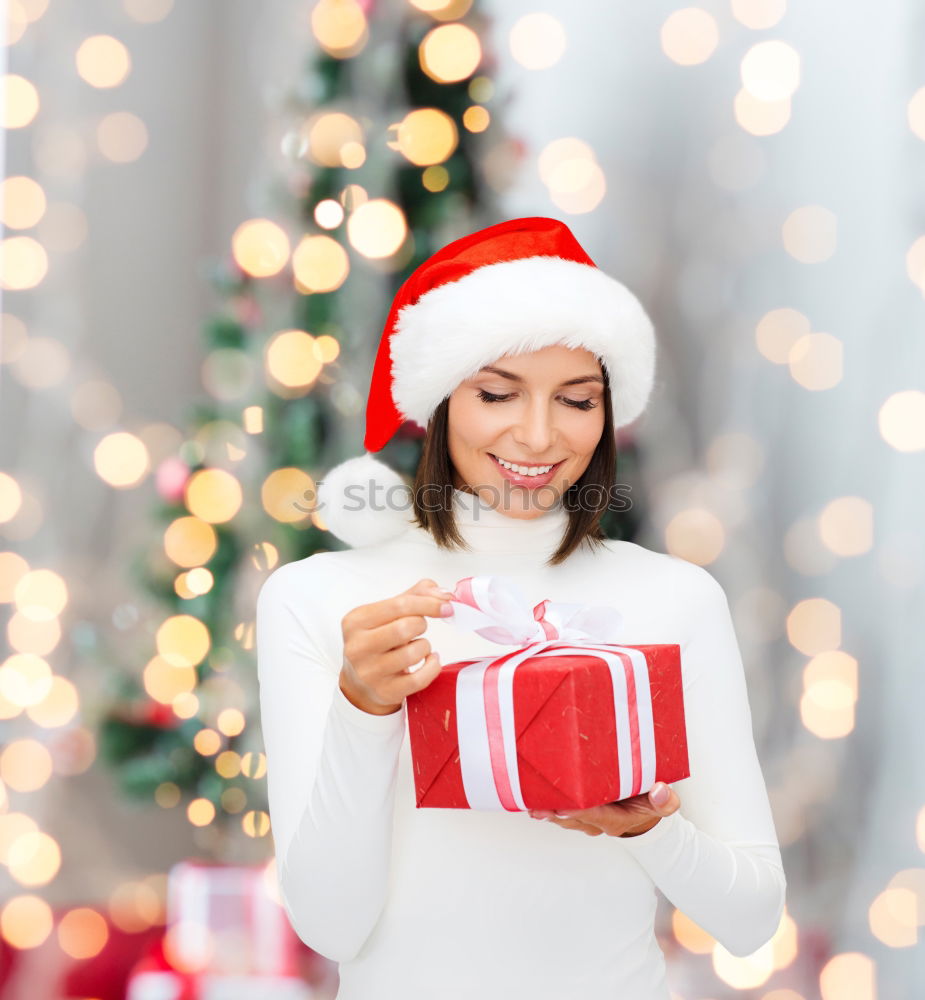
{"x": 495, "y": 608}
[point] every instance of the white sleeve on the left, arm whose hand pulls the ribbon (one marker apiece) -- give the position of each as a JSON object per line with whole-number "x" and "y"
{"x": 331, "y": 769}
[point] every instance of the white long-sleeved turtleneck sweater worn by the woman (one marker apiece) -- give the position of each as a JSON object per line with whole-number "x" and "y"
{"x": 418, "y": 904}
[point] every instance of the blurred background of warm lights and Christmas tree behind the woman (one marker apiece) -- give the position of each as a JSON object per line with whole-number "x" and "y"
{"x": 206, "y": 209}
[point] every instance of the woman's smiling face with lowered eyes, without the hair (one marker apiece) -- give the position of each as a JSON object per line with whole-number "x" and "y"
{"x": 539, "y": 409}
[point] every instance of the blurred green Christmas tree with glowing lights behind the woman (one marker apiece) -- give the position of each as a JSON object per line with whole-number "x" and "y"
{"x": 392, "y": 148}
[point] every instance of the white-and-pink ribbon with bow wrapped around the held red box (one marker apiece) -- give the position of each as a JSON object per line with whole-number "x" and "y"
{"x": 495, "y": 608}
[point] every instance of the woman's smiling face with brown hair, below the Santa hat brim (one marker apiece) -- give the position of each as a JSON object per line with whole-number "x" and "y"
{"x": 491, "y": 440}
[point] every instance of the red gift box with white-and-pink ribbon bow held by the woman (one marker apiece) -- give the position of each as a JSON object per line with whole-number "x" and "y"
{"x": 563, "y": 722}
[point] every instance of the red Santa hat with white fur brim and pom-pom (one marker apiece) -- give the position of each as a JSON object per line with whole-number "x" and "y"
{"x": 512, "y": 288}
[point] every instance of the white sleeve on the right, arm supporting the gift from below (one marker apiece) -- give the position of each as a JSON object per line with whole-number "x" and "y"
{"x": 717, "y": 858}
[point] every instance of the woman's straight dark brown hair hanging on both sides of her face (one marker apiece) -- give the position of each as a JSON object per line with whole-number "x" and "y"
{"x": 435, "y": 477}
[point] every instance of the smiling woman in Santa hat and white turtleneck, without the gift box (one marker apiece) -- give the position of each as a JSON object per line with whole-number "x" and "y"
{"x": 521, "y": 359}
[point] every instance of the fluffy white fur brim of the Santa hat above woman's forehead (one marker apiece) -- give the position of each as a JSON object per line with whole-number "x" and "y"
{"x": 515, "y": 307}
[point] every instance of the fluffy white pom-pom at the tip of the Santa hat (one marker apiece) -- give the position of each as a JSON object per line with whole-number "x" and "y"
{"x": 363, "y": 501}
